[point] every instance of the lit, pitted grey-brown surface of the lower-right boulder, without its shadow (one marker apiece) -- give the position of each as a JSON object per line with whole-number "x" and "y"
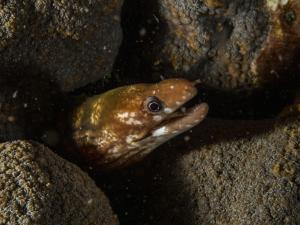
{"x": 253, "y": 180}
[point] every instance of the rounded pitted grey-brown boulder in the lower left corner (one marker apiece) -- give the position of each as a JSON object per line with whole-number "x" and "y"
{"x": 38, "y": 187}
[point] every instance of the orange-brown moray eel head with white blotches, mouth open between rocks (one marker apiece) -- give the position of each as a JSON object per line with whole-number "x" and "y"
{"x": 125, "y": 124}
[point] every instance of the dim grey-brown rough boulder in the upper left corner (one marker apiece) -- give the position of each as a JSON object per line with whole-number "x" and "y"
{"x": 70, "y": 42}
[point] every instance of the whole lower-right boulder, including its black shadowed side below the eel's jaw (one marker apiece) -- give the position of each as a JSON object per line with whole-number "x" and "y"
{"x": 225, "y": 172}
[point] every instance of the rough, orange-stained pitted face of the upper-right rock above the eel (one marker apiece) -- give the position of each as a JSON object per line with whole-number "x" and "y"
{"x": 229, "y": 45}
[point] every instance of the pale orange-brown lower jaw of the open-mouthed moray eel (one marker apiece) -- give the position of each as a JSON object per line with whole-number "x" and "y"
{"x": 178, "y": 123}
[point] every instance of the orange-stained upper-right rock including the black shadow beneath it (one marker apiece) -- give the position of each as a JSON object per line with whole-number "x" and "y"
{"x": 244, "y": 52}
